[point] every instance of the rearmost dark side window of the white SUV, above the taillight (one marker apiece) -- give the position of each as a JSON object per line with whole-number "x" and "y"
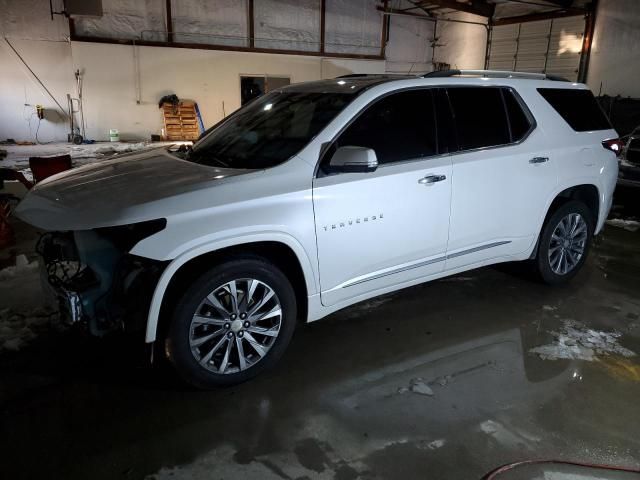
{"x": 578, "y": 107}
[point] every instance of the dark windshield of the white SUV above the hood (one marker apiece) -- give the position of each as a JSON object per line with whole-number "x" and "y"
{"x": 269, "y": 130}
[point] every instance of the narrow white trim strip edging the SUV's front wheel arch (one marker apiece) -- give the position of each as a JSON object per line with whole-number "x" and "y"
{"x": 209, "y": 247}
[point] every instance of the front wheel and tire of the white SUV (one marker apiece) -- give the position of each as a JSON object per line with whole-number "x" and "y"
{"x": 205, "y": 320}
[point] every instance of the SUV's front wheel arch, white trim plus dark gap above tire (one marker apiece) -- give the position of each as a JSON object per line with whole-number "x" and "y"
{"x": 285, "y": 252}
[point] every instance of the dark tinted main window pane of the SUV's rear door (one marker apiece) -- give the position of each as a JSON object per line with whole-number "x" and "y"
{"x": 480, "y": 117}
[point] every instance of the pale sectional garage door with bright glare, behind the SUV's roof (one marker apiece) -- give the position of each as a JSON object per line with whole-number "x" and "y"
{"x": 547, "y": 46}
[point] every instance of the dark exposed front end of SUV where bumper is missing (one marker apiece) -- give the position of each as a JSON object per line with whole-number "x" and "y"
{"x": 94, "y": 279}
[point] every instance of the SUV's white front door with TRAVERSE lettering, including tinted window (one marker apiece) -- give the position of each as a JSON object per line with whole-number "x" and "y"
{"x": 385, "y": 229}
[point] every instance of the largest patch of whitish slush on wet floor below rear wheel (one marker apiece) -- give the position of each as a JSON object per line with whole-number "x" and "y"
{"x": 577, "y": 342}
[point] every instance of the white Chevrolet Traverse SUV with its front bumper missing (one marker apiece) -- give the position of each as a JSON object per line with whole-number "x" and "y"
{"x": 320, "y": 195}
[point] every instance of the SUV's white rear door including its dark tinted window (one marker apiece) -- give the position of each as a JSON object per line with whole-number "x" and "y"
{"x": 503, "y": 175}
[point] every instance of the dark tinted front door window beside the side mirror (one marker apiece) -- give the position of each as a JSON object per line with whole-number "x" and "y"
{"x": 398, "y": 127}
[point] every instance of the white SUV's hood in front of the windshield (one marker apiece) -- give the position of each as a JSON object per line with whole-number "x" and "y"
{"x": 115, "y": 192}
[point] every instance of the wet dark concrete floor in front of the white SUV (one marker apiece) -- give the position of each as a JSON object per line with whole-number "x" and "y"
{"x": 340, "y": 404}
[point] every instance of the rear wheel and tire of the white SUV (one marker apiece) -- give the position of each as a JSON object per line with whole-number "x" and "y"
{"x": 554, "y": 243}
